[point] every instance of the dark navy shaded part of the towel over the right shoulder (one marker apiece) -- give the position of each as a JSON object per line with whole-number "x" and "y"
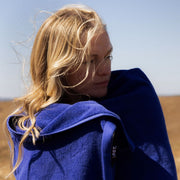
{"x": 133, "y": 98}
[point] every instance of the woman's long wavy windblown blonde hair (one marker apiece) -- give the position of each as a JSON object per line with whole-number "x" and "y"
{"x": 62, "y": 43}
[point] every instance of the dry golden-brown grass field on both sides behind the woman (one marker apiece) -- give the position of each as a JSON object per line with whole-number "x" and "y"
{"x": 171, "y": 108}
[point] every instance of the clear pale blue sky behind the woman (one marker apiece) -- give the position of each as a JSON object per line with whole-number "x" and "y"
{"x": 144, "y": 34}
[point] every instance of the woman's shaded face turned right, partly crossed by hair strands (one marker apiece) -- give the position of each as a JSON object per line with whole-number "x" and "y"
{"x": 95, "y": 85}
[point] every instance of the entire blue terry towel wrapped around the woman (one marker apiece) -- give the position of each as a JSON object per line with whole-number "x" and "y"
{"x": 76, "y": 141}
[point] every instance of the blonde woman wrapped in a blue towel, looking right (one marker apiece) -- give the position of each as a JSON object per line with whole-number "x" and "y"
{"x": 79, "y": 120}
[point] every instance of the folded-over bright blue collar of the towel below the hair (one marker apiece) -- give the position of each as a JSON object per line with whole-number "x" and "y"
{"x": 59, "y": 117}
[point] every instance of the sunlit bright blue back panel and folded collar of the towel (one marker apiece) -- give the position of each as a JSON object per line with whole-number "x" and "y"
{"x": 75, "y": 143}
